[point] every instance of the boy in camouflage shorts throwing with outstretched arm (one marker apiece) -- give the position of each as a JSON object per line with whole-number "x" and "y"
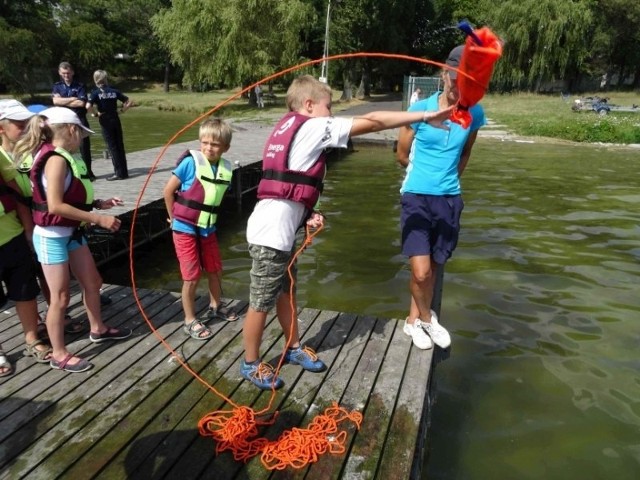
{"x": 293, "y": 171}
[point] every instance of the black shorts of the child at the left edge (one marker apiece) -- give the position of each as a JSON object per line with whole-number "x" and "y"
{"x": 17, "y": 272}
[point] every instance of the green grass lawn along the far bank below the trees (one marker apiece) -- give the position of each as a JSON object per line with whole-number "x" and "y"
{"x": 525, "y": 114}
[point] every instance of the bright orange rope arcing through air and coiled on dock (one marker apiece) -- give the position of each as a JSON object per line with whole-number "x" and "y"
{"x": 234, "y": 430}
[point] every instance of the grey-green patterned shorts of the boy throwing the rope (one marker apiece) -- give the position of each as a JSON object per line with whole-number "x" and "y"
{"x": 269, "y": 276}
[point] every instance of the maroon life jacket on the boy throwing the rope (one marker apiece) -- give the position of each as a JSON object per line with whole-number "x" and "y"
{"x": 278, "y": 181}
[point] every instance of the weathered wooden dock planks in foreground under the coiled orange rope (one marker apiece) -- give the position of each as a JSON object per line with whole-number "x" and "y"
{"x": 135, "y": 414}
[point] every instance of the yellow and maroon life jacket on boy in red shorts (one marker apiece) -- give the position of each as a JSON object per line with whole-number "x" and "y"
{"x": 199, "y": 204}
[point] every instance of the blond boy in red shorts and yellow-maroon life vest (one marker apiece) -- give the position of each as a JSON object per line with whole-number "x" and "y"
{"x": 193, "y": 196}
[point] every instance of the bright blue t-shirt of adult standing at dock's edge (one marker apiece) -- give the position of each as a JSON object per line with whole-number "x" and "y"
{"x": 435, "y": 153}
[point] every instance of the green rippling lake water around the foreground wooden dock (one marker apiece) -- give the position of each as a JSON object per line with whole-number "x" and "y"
{"x": 541, "y": 299}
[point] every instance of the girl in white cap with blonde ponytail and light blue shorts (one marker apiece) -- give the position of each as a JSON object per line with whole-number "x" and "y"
{"x": 62, "y": 204}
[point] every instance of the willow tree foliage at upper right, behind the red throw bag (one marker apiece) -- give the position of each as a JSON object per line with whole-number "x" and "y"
{"x": 544, "y": 39}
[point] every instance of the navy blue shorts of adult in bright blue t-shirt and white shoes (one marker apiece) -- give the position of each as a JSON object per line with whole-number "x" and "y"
{"x": 430, "y": 225}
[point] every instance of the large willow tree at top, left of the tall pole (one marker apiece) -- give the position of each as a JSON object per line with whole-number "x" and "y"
{"x": 229, "y": 41}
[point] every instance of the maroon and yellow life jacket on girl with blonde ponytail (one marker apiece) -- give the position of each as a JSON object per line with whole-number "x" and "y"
{"x": 79, "y": 194}
